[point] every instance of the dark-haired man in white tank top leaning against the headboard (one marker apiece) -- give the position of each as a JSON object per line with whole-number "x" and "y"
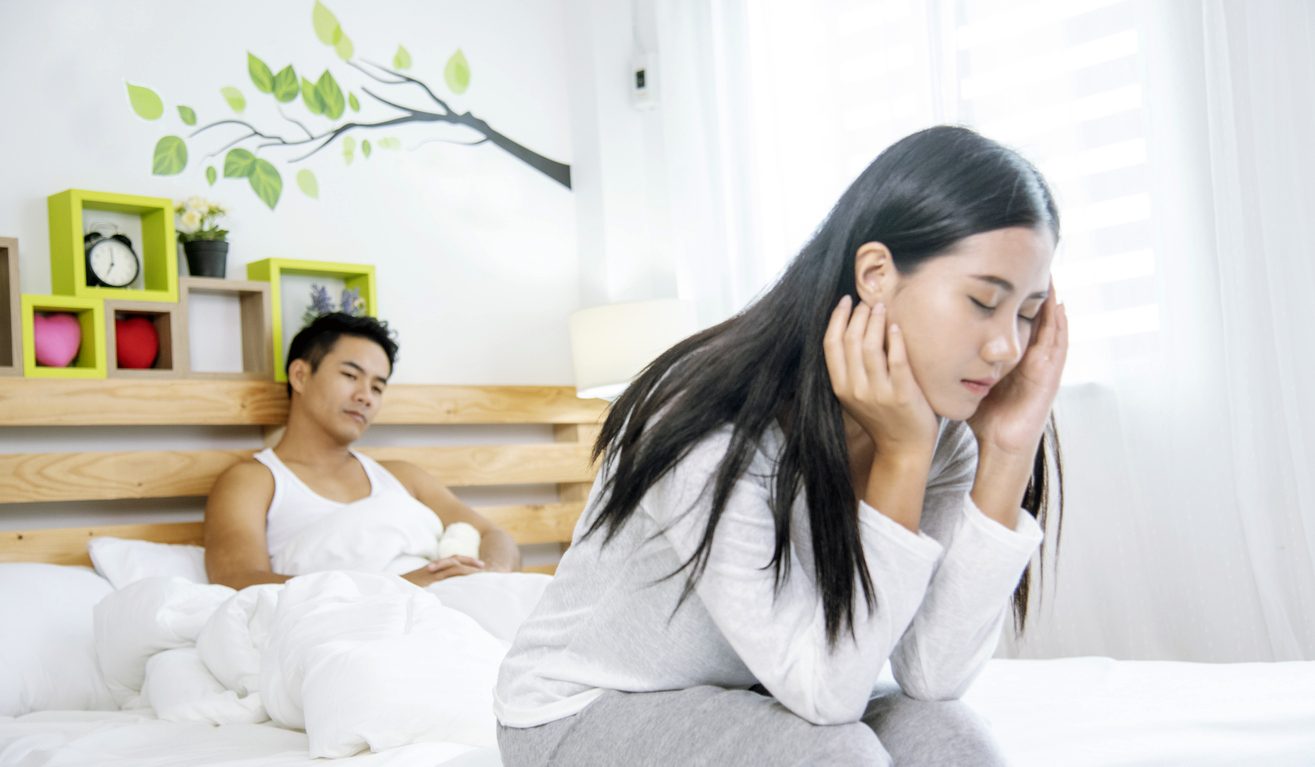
{"x": 339, "y": 370}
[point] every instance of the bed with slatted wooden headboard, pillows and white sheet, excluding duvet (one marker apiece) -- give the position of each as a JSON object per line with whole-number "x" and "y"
{"x": 1074, "y": 711}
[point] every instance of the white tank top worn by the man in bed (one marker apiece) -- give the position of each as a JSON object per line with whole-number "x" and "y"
{"x": 295, "y": 506}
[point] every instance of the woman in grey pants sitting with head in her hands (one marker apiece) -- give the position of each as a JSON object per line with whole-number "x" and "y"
{"x": 828, "y": 481}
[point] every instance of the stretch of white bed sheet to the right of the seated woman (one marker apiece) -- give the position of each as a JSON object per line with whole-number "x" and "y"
{"x": 1082, "y": 712}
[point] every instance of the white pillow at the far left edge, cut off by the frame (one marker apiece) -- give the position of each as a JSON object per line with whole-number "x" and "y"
{"x": 48, "y": 649}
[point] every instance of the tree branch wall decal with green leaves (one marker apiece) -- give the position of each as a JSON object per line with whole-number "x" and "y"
{"x": 253, "y": 155}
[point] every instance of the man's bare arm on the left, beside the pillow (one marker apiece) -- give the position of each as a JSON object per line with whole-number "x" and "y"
{"x": 236, "y": 551}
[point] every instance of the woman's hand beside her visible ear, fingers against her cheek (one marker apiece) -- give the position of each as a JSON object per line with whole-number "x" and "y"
{"x": 871, "y": 377}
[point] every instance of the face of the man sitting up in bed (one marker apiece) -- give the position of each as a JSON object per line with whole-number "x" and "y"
{"x": 344, "y": 395}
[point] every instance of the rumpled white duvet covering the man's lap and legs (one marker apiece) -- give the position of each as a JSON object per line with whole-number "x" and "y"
{"x": 356, "y": 658}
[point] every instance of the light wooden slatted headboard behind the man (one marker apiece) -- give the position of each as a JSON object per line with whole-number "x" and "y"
{"x": 161, "y": 474}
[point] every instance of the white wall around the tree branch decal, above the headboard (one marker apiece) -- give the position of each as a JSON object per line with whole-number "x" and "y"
{"x": 475, "y": 252}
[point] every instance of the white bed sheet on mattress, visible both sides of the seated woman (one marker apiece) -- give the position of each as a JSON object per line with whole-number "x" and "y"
{"x": 1076, "y": 712}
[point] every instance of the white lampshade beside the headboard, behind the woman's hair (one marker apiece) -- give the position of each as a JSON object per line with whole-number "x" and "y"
{"x": 613, "y": 343}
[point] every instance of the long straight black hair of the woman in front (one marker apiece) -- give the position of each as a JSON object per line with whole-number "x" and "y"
{"x": 920, "y": 198}
